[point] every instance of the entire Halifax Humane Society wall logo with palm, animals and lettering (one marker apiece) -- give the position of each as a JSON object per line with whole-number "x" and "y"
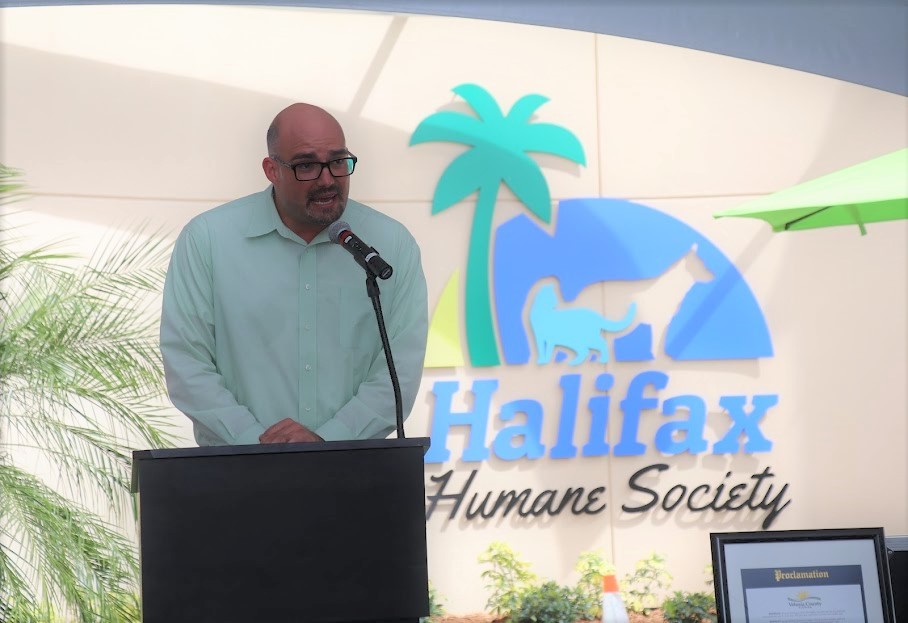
{"x": 529, "y": 287}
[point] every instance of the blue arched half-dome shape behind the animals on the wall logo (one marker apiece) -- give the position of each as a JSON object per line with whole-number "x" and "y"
{"x": 604, "y": 239}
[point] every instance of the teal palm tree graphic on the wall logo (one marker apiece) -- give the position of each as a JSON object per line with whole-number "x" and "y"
{"x": 499, "y": 148}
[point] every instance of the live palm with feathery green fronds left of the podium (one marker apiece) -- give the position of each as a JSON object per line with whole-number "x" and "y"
{"x": 80, "y": 387}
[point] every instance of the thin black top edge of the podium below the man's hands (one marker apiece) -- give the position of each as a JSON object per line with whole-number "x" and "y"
{"x": 281, "y": 448}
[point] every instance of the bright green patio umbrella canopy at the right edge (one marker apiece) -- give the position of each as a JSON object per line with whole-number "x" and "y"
{"x": 869, "y": 192}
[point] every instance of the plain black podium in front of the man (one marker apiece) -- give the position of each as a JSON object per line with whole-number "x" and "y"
{"x": 284, "y": 533}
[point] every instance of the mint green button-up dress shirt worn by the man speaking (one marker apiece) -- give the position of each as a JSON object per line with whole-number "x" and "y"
{"x": 257, "y": 325}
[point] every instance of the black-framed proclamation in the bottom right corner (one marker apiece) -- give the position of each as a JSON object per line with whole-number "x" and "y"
{"x": 802, "y": 576}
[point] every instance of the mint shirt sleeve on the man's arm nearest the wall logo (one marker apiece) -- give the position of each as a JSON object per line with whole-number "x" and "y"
{"x": 370, "y": 414}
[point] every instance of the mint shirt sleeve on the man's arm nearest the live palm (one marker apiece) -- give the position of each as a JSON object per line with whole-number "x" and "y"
{"x": 188, "y": 347}
